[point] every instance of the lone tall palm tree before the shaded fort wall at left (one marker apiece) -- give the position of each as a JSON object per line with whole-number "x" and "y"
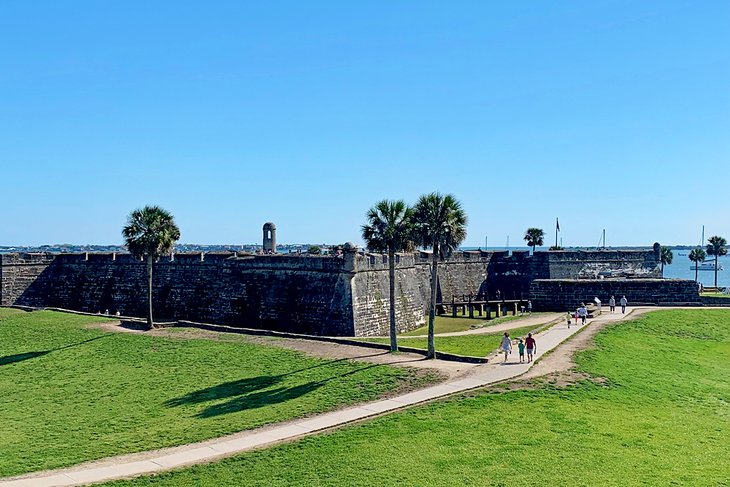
{"x": 150, "y": 232}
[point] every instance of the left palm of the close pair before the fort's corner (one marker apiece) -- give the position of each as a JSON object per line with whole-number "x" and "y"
{"x": 389, "y": 230}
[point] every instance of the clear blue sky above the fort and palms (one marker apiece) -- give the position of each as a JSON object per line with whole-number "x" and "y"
{"x": 608, "y": 114}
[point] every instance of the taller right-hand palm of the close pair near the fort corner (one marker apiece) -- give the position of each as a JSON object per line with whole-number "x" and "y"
{"x": 439, "y": 223}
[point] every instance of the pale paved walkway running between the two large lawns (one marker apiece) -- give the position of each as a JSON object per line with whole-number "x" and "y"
{"x": 170, "y": 458}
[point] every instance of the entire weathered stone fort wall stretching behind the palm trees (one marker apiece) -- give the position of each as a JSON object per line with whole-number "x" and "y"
{"x": 324, "y": 295}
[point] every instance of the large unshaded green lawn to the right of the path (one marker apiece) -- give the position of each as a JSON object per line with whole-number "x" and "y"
{"x": 660, "y": 415}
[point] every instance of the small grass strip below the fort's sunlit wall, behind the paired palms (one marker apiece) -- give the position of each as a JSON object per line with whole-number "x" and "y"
{"x": 471, "y": 345}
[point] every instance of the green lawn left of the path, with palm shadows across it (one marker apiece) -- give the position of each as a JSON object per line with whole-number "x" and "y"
{"x": 69, "y": 393}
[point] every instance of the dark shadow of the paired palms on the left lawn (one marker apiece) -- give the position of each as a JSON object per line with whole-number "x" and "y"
{"x": 255, "y": 392}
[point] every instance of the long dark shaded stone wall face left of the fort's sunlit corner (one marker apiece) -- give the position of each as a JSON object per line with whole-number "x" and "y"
{"x": 289, "y": 293}
